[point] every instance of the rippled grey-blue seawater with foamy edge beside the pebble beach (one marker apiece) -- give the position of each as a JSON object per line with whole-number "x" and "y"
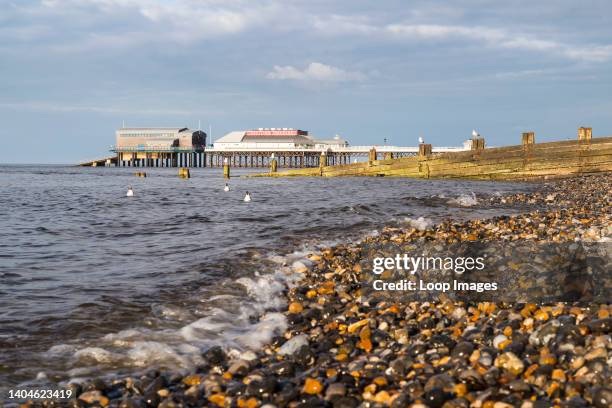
{"x": 94, "y": 283}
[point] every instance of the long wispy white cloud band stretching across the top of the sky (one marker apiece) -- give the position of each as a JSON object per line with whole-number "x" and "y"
{"x": 189, "y": 21}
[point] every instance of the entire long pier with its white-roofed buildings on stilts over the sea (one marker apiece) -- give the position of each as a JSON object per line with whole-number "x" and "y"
{"x": 292, "y": 148}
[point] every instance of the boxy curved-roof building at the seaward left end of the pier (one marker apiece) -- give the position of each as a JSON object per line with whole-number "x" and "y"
{"x": 160, "y": 147}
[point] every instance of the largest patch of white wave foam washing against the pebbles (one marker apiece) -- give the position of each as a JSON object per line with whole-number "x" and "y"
{"x": 240, "y": 322}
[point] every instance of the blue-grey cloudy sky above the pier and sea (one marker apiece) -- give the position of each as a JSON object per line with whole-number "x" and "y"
{"x": 73, "y": 71}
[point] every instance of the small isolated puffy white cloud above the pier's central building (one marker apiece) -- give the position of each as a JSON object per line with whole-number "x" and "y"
{"x": 315, "y": 71}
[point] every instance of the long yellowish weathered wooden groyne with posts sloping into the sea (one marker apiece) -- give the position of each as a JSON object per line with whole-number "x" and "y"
{"x": 528, "y": 160}
